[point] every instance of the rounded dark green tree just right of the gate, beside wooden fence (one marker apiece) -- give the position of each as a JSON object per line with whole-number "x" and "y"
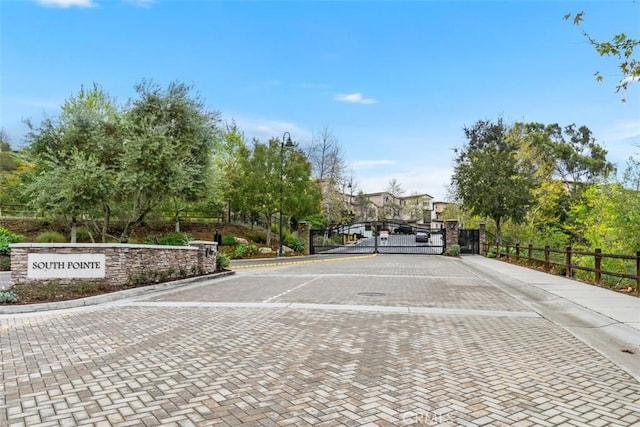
{"x": 489, "y": 178}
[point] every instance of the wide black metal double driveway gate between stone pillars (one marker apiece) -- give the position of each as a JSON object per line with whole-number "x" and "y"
{"x": 386, "y": 237}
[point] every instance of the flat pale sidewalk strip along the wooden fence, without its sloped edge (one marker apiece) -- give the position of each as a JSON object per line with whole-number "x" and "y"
{"x": 620, "y": 308}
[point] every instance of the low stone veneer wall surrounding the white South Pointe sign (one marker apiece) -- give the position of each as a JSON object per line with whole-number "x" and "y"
{"x": 125, "y": 263}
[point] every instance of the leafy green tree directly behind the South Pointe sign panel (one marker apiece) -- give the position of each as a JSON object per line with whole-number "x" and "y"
{"x": 88, "y": 134}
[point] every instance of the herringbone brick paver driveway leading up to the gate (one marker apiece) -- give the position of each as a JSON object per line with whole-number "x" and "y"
{"x": 386, "y": 340}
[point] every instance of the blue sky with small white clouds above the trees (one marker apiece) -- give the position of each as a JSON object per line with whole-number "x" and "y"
{"x": 394, "y": 82}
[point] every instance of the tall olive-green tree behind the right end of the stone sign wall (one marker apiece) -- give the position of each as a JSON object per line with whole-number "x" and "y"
{"x": 168, "y": 153}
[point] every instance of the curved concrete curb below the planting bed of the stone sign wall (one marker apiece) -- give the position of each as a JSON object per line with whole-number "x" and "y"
{"x": 113, "y": 296}
